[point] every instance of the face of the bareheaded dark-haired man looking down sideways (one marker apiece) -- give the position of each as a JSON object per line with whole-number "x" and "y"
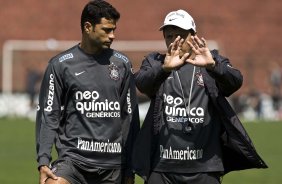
{"x": 102, "y": 35}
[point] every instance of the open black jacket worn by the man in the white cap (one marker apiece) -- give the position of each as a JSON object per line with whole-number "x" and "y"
{"x": 238, "y": 150}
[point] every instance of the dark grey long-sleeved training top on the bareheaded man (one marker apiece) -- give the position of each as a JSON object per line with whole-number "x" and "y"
{"x": 88, "y": 108}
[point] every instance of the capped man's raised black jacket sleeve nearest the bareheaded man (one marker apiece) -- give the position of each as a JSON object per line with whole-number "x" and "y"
{"x": 151, "y": 74}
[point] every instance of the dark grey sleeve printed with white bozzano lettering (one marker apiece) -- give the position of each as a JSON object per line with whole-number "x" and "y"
{"x": 48, "y": 114}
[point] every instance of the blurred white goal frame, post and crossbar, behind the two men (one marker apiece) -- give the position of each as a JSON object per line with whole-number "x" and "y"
{"x": 11, "y": 46}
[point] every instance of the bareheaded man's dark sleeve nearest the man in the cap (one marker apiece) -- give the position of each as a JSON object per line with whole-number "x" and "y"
{"x": 130, "y": 118}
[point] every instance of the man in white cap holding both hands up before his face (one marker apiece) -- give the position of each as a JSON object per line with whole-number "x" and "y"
{"x": 190, "y": 133}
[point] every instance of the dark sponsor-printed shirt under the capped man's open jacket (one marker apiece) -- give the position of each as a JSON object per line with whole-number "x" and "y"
{"x": 189, "y": 137}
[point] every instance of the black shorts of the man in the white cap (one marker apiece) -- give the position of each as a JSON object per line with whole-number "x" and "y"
{"x": 189, "y": 178}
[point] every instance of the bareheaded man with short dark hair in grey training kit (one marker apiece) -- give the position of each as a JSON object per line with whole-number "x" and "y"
{"x": 88, "y": 107}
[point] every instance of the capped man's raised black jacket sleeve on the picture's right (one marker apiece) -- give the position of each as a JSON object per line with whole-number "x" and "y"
{"x": 227, "y": 78}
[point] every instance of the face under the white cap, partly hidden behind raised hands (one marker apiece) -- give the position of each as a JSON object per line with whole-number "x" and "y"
{"x": 171, "y": 33}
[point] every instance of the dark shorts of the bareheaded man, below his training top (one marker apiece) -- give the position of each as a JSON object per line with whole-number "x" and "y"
{"x": 74, "y": 175}
